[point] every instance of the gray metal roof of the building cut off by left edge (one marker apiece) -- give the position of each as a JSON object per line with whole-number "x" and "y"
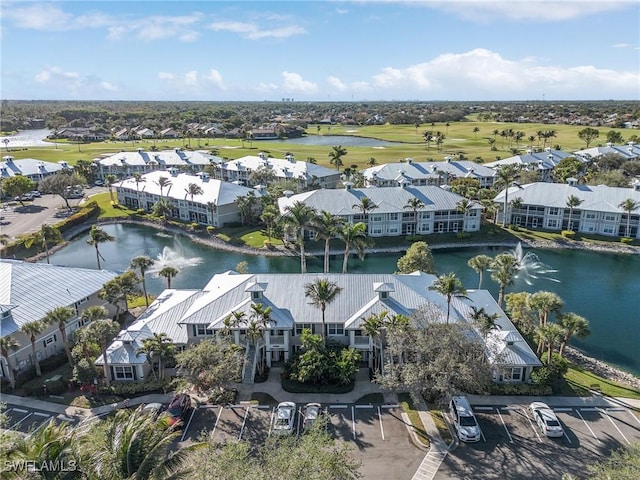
{"x": 30, "y": 290}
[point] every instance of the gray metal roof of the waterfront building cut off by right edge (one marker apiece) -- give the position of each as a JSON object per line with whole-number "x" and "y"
{"x": 598, "y": 198}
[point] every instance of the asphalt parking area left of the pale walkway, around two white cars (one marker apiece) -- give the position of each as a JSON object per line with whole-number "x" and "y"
{"x": 378, "y": 434}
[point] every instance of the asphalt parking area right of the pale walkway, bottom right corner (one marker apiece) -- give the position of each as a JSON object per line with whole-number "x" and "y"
{"x": 513, "y": 446}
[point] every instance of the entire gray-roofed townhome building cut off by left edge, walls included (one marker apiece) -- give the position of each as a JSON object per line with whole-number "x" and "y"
{"x": 28, "y": 291}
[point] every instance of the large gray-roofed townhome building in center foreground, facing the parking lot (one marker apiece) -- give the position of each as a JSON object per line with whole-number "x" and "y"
{"x": 188, "y": 316}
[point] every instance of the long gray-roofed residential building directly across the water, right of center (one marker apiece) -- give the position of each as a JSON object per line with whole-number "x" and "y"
{"x": 438, "y": 213}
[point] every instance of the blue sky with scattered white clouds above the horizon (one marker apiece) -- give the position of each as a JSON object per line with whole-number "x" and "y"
{"x": 320, "y": 50}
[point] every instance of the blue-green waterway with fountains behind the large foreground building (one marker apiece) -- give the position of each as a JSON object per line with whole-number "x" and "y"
{"x": 603, "y": 287}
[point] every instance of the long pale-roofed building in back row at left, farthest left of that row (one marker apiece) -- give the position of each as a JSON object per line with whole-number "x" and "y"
{"x": 124, "y": 164}
